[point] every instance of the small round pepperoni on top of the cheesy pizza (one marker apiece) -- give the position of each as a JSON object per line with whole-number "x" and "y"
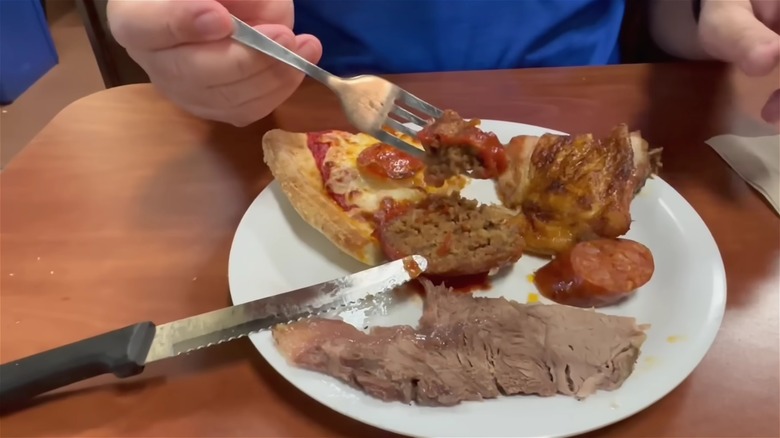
{"x": 384, "y": 161}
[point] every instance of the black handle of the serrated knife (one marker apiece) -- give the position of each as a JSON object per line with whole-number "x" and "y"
{"x": 120, "y": 352}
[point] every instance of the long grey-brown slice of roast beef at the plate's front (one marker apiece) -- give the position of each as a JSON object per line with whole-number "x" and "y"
{"x": 468, "y": 348}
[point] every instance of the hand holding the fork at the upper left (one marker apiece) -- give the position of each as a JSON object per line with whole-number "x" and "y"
{"x": 185, "y": 48}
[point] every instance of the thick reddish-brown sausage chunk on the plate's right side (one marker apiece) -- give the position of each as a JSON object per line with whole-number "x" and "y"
{"x": 596, "y": 273}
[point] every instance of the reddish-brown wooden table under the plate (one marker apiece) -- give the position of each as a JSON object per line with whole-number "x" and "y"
{"x": 123, "y": 209}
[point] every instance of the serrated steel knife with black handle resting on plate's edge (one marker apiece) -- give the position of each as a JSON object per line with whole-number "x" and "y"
{"x": 125, "y": 352}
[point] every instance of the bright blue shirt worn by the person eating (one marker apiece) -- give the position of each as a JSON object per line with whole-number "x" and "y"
{"x": 405, "y": 36}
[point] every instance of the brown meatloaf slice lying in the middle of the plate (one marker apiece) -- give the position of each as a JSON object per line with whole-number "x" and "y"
{"x": 458, "y": 236}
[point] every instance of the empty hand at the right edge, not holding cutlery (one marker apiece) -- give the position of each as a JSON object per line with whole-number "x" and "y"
{"x": 746, "y": 33}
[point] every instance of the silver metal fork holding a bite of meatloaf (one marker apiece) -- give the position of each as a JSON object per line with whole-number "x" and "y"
{"x": 368, "y": 101}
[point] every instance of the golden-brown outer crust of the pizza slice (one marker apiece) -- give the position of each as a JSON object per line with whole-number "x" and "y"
{"x": 292, "y": 164}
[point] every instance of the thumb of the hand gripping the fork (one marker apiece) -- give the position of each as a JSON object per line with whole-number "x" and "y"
{"x": 161, "y": 24}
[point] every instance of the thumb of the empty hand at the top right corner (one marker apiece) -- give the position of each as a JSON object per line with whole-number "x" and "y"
{"x": 730, "y": 31}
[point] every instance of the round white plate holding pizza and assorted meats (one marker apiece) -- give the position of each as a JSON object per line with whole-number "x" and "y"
{"x": 274, "y": 251}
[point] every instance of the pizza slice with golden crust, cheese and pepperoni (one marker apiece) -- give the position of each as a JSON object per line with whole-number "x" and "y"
{"x": 345, "y": 185}
